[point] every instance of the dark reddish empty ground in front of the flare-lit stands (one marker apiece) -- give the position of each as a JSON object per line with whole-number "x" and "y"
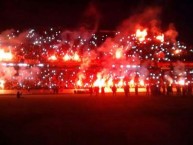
{"x": 103, "y": 120}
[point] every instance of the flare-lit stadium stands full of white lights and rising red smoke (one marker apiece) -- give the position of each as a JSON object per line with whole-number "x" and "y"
{"x": 138, "y": 53}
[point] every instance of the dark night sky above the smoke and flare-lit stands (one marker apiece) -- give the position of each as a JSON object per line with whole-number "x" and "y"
{"x": 23, "y": 14}
